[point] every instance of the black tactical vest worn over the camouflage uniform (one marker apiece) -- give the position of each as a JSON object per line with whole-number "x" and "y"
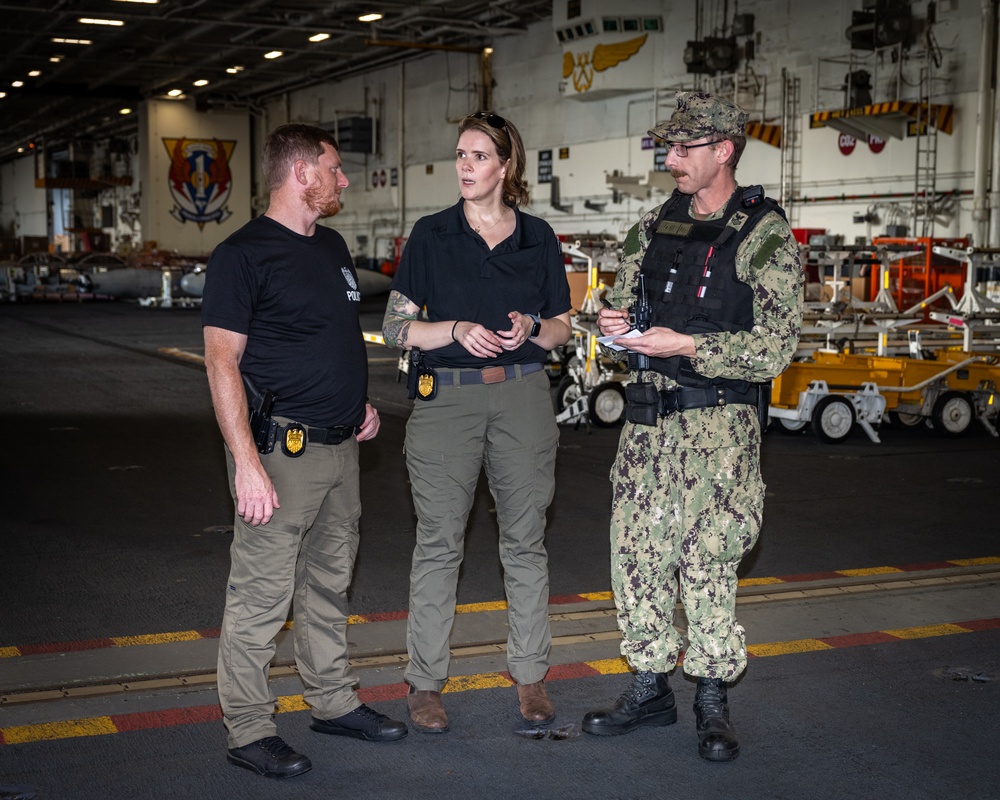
{"x": 690, "y": 275}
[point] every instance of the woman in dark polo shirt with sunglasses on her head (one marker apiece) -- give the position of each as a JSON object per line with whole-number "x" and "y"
{"x": 493, "y": 281}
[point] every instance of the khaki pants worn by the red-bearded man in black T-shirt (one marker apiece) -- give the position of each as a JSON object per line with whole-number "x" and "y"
{"x": 305, "y": 552}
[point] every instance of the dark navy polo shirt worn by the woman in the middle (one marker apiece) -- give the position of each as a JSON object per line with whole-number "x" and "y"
{"x": 449, "y": 268}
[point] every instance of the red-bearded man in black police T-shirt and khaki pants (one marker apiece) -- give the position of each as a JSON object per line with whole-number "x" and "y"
{"x": 280, "y": 316}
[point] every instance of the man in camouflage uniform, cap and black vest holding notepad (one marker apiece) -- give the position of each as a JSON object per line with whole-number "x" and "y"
{"x": 723, "y": 282}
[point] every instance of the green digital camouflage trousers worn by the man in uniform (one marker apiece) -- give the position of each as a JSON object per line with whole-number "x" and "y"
{"x": 681, "y": 521}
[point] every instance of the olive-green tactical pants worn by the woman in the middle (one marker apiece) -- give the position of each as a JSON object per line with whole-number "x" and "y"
{"x": 509, "y": 430}
